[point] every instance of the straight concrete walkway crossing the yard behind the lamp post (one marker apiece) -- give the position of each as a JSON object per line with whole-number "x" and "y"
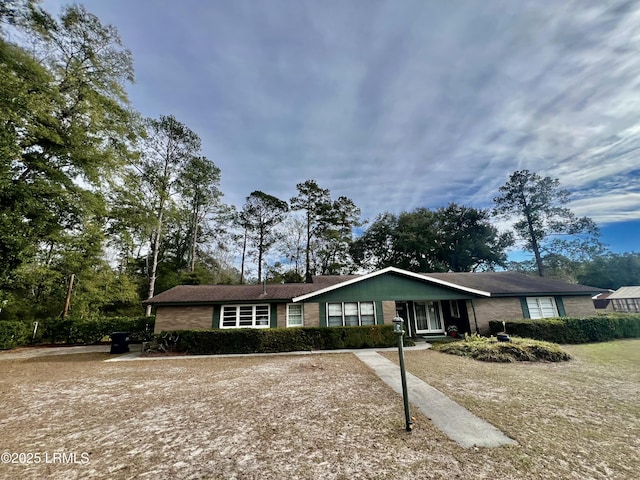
{"x": 455, "y": 421}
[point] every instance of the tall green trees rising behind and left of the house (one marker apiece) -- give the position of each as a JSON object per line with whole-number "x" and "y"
{"x": 101, "y": 208}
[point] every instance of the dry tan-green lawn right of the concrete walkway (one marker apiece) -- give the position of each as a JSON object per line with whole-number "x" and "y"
{"x": 578, "y": 419}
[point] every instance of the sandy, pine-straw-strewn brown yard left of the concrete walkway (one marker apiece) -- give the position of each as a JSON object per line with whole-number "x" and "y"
{"x": 280, "y": 417}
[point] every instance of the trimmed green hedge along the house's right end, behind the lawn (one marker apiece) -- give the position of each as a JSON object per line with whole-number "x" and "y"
{"x": 601, "y": 328}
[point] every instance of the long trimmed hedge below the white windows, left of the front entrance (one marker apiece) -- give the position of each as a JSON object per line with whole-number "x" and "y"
{"x": 270, "y": 340}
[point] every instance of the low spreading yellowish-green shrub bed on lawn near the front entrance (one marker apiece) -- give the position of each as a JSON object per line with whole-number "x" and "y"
{"x": 516, "y": 350}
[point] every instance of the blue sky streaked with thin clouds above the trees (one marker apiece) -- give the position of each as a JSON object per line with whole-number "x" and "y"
{"x": 400, "y": 104}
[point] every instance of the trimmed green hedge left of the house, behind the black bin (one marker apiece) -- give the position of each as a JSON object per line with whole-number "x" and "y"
{"x": 73, "y": 331}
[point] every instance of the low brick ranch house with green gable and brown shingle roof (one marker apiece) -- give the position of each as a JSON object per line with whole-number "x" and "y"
{"x": 431, "y": 304}
